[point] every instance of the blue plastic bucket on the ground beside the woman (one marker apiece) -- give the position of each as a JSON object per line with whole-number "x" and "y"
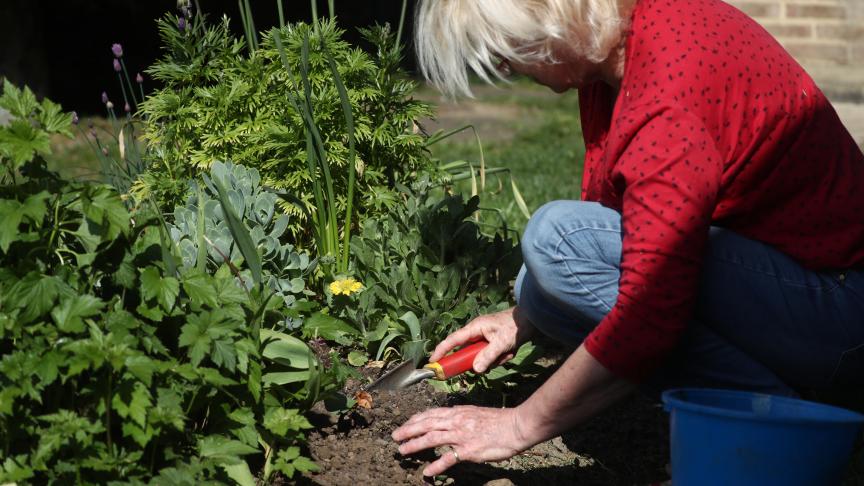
{"x": 740, "y": 438}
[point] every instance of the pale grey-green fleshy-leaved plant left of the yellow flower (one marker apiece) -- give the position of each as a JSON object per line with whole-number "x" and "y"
{"x": 204, "y": 239}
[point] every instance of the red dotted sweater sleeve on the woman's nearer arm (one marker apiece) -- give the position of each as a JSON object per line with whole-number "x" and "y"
{"x": 667, "y": 171}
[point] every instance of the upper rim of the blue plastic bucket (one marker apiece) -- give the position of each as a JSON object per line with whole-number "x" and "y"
{"x": 839, "y": 415}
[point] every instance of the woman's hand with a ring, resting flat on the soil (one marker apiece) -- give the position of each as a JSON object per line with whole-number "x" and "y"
{"x": 473, "y": 434}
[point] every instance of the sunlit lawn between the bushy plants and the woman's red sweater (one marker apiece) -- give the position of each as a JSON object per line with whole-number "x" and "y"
{"x": 539, "y": 141}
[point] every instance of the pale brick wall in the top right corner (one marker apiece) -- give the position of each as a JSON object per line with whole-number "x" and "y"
{"x": 816, "y": 32}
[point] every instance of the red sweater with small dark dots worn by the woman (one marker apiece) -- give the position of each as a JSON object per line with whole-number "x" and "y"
{"x": 714, "y": 124}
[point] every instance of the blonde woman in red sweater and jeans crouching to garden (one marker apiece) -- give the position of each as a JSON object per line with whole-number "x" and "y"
{"x": 721, "y": 241}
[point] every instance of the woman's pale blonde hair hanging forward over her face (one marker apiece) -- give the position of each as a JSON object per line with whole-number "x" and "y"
{"x": 454, "y": 35}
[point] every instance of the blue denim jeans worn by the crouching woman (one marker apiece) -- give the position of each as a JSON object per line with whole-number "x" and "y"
{"x": 762, "y": 321}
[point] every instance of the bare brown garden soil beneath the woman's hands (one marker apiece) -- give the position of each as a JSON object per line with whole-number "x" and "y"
{"x": 625, "y": 446}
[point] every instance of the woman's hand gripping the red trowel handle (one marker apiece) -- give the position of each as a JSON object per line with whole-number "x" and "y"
{"x": 504, "y": 330}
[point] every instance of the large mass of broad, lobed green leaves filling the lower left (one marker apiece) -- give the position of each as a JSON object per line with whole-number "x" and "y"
{"x": 114, "y": 369}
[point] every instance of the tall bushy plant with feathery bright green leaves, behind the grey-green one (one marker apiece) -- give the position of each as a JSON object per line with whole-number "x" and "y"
{"x": 219, "y": 103}
